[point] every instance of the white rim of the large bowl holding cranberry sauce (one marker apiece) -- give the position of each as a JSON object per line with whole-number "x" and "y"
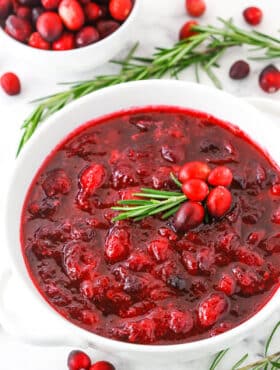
{"x": 240, "y": 330}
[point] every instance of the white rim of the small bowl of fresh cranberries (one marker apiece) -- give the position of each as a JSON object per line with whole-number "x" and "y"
{"x": 103, "y": 43}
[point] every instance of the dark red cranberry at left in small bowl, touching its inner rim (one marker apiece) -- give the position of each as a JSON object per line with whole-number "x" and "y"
{"x": 20, "y": 29}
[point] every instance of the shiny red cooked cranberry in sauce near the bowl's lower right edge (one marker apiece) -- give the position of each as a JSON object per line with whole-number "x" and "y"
{"x": 211, "y": 309}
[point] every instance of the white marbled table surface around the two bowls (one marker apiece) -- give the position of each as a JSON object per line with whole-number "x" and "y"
{"x": 158, "y": 26}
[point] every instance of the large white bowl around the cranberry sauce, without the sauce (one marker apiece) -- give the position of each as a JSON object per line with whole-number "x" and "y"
{"x": 171, "y": 93}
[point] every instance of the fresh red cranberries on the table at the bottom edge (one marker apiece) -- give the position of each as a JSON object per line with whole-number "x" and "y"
{"x": 78, "y": 360}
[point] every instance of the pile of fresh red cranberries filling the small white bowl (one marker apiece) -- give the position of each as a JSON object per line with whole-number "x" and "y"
{"x": 62, "y": 24}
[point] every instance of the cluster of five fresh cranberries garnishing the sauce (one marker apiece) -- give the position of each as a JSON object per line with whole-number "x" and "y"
{"x": 196, "y": 178}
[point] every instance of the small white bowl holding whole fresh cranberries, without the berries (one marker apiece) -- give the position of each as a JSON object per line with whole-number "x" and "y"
{"x": 63, "y": 63}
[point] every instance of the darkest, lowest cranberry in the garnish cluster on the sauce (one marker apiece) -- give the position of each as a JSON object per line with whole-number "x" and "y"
{"x": 189, "y": 215}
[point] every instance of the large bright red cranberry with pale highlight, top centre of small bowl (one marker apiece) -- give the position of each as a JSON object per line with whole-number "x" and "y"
{"x": 72, "y": 14}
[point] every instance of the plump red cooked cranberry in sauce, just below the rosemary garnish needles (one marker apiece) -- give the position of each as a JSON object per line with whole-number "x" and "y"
{"x": 117, "y": 245}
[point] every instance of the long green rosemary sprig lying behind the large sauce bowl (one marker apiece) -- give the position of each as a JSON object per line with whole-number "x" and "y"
{"x": 202, "y": 50}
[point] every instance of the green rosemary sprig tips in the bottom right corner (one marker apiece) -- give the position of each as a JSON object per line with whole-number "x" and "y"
{"x": 268, "y": 362}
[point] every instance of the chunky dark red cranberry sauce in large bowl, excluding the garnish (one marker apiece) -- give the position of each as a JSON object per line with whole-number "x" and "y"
{"x": 142, "y": 282}
